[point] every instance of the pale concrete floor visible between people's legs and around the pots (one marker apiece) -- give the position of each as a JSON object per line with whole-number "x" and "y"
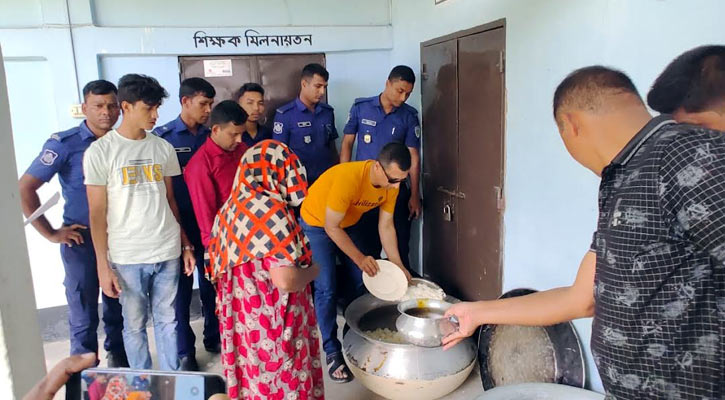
{"x": 471, "y": 388}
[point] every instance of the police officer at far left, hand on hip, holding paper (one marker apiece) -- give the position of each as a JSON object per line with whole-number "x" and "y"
{"x": 62, "y": 154}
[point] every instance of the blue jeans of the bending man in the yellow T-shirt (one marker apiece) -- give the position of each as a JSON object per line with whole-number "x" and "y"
{"x": 326, "y": 293}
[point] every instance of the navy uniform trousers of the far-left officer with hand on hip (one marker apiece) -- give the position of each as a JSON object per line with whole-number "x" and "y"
{"x": 81, "y": 291}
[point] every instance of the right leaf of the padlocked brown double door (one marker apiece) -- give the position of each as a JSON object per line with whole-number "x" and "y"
{"x": 480, "y": 163}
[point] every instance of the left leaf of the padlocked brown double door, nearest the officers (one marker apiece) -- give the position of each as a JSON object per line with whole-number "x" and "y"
{"x": 440, "y": 165}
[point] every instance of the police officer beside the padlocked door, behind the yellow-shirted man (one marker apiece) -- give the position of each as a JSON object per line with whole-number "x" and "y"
{"x": 374, "y": 122}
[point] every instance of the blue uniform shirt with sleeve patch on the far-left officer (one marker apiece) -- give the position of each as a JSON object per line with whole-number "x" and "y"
{"x": 62, "y": 154}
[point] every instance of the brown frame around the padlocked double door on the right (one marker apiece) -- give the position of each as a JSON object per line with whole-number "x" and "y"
{"x": 496, "y": 24}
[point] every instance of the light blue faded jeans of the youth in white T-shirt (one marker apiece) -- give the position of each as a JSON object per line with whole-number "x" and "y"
{"x": 158, "y": 283}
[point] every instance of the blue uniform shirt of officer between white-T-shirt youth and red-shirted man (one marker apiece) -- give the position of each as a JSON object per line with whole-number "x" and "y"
{"x": 186, "y": 144}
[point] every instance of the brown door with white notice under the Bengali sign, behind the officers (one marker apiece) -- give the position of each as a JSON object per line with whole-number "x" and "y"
{"x": 279, "y": 74}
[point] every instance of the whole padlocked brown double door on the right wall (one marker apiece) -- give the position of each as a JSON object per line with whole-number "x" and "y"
{"x": 463, "y": 111}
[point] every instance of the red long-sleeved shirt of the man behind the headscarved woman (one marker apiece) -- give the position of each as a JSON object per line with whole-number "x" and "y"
{"x": 209, "y": 175}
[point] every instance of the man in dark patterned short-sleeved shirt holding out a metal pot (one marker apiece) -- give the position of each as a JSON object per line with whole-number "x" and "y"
{"x": 654, "y": 279}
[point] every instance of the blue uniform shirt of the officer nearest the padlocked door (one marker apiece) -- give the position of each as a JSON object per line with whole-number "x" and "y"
{"x": 375, "y": 129}
